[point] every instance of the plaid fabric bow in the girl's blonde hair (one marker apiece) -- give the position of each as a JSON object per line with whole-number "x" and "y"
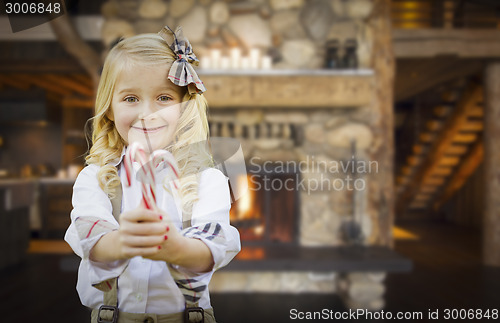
{"x": 182, "y": 72}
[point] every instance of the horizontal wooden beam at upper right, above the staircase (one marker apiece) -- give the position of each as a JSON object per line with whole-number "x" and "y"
{"x": 471, "y": 43}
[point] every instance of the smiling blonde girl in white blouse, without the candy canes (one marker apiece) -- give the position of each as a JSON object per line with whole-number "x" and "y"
{"x": 150, "y": 265}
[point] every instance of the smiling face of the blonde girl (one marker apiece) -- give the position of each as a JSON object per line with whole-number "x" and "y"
{"x": 146, "y": 105}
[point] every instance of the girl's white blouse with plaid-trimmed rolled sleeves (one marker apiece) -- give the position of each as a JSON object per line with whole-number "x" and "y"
{"x": 144, "y": 285}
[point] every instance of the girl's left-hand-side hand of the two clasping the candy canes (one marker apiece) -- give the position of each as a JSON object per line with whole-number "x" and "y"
{"x": 142, "y": 233}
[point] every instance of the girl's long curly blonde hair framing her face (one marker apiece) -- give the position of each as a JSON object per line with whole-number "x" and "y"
{"x": 192, "y": 132}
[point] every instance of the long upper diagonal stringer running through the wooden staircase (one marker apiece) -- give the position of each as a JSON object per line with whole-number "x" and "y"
{"x": 442, "y": 144}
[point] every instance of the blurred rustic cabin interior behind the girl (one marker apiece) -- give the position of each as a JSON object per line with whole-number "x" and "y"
{"x": 368, "y": 130}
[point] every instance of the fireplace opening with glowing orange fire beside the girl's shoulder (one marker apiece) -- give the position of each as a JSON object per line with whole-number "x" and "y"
{"x": 268, "y": 212}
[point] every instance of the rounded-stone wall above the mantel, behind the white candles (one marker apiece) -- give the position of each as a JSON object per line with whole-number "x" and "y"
{"x": 293, "y": 32}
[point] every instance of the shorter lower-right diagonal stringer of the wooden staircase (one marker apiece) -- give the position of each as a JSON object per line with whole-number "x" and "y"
{"x": 458, "y": 179}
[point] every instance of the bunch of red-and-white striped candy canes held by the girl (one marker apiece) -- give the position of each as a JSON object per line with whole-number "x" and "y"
{"x": 146, "y": 175}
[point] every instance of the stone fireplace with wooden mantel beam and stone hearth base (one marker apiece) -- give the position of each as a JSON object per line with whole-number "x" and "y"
{"x": 315, "y": 156}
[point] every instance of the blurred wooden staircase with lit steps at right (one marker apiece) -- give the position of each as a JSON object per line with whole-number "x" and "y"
{"x": 447, "y": 152}
